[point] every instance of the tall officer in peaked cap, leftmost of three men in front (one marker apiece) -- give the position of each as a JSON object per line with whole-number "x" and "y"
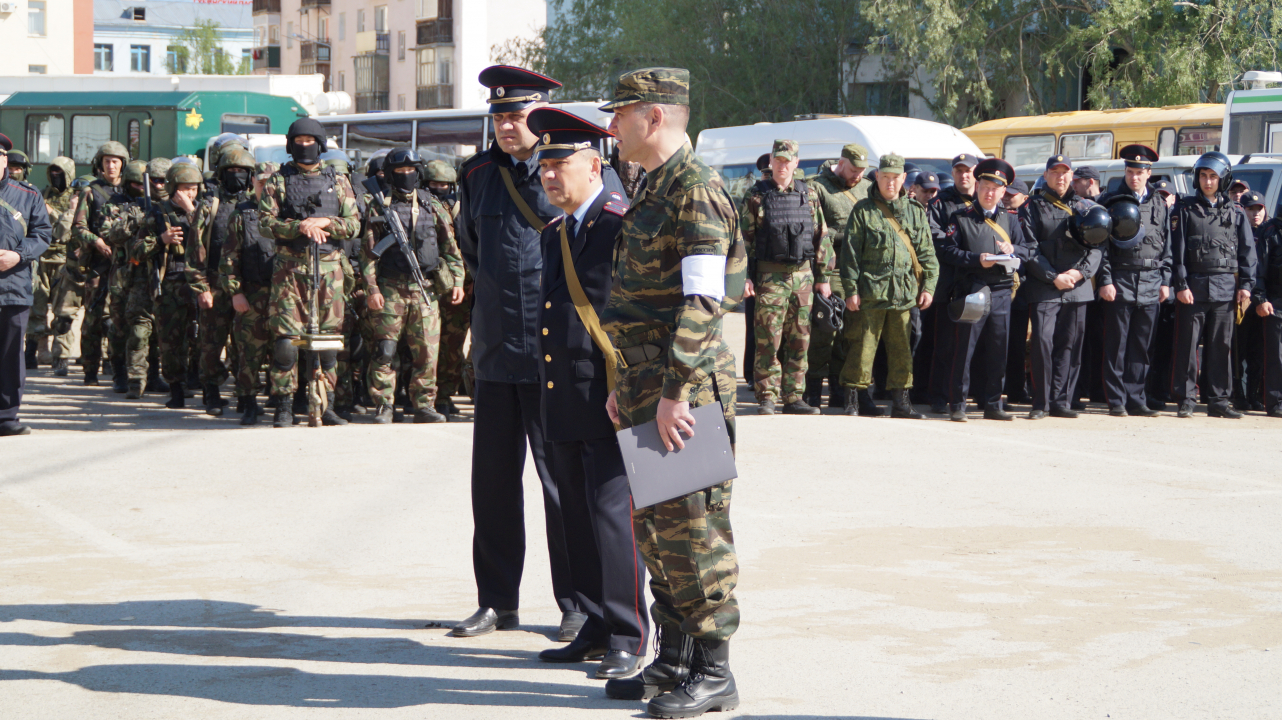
{"x": 503, "y": 211}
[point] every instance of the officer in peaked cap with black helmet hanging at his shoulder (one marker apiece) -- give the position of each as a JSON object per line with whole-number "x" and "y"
{"x": 1134, "y": 281}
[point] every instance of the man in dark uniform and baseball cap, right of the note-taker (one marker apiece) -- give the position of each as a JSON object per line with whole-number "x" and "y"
{"x": 1060, "y": 288}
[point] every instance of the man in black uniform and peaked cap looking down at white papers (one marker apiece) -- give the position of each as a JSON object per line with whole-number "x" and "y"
{"x": 972, "y": 236}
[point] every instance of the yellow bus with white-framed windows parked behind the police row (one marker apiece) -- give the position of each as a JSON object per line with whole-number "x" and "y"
{"x": 1098, "y": 135}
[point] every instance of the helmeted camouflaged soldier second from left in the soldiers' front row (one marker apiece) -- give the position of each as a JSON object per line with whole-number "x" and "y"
{"x": 96, "y": 258}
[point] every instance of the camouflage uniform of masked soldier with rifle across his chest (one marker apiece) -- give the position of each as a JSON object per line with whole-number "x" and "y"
{"x": 406, "y": 316}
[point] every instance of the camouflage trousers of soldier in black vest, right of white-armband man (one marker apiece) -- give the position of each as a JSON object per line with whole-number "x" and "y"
{"x": 783, "y": 320}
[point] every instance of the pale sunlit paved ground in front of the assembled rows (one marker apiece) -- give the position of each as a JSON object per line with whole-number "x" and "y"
{"x": 183, "y": 567}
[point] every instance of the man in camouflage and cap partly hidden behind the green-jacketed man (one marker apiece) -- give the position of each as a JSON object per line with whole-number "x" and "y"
{"x": 839, "y": 186}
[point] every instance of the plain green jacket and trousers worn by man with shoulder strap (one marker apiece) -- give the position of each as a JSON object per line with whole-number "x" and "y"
{"x": 876, "y": 263}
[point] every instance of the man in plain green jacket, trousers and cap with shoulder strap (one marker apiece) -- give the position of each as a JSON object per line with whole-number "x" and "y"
{"x": 889, "y": 267}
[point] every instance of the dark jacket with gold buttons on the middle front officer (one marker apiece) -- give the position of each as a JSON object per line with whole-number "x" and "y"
{"x": 572, "y": 370}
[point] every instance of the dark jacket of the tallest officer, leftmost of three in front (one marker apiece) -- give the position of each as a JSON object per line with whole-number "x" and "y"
{"x": 504, "y": 254}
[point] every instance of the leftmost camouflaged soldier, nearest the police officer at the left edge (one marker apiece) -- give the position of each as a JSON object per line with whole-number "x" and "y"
{"x": 61, "y": 203}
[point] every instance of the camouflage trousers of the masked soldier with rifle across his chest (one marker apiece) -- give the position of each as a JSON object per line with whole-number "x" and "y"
{"x": 404, "y": 316}
